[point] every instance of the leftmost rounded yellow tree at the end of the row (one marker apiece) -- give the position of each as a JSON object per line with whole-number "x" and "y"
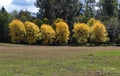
{"x": 17, "y": 31}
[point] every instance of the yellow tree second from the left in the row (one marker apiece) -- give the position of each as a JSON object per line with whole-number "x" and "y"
{"x": 32, "y": 32}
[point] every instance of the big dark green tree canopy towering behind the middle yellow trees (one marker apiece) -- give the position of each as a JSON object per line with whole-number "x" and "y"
{"x": 52, "y": 9}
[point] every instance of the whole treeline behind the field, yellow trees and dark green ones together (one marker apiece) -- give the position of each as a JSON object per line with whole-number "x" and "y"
{"x": 63, "y": 22}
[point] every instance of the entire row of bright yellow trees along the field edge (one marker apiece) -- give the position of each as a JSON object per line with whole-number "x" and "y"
{"x": 58, "y": 33}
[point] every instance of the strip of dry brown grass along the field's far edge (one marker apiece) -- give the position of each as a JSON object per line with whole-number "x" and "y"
{"x": 51, "y": 51}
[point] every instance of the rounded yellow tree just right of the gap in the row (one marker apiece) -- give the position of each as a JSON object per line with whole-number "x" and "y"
{"x": 81, "y": 32}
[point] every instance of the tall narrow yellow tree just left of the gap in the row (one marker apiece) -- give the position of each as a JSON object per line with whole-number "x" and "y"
{"x": 62, "y": 33}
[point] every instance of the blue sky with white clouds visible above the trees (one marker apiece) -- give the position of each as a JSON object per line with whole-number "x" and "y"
{"x": 11, "y": 5}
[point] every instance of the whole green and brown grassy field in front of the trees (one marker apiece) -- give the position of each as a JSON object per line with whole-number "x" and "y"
{"x": 24, "y": 60}
